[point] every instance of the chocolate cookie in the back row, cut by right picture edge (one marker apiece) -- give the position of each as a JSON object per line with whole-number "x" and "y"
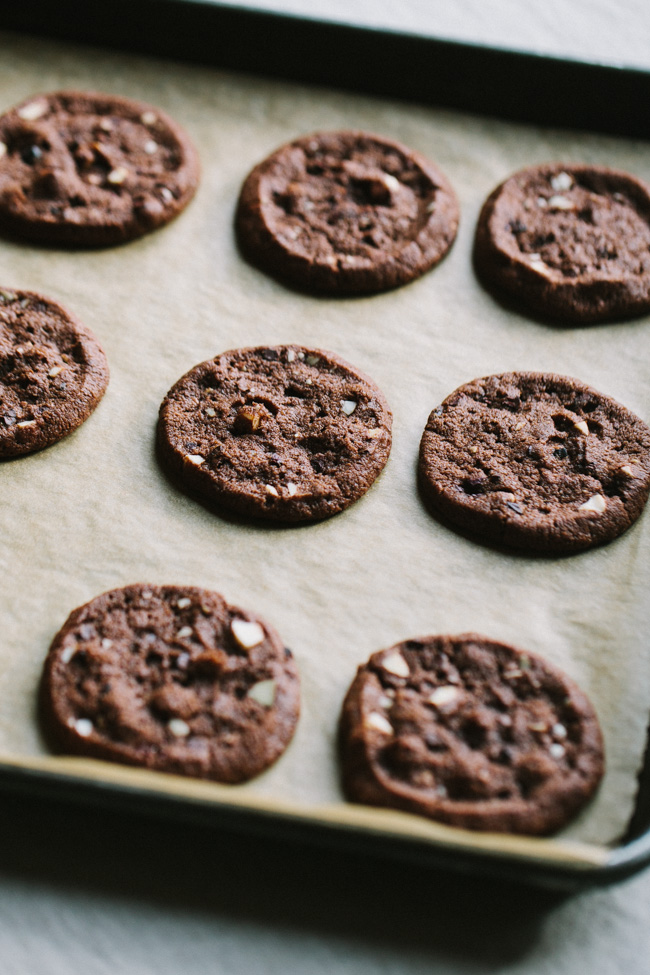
{"x": 568, "y": 242}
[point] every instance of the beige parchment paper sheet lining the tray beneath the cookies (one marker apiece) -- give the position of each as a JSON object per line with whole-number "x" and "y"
{"x": 94, "y": 511}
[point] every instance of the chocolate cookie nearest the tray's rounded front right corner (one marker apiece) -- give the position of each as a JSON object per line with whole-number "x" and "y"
{"x": 470, "y": 732}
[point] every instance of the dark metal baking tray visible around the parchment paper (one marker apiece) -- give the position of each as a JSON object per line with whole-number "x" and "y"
{"x": 548, "y": 91}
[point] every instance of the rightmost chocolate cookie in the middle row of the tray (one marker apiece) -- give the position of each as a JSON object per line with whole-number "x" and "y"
{"x": 535, "y": 461}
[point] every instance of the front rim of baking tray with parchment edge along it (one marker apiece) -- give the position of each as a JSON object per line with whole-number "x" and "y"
{"x": 80, "y": 781}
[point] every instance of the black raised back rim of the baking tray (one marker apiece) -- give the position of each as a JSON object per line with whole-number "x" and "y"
{"x": 455, "y": 74}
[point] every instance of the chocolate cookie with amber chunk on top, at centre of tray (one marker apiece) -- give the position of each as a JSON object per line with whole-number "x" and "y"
{"x": 283, "y": 433}
